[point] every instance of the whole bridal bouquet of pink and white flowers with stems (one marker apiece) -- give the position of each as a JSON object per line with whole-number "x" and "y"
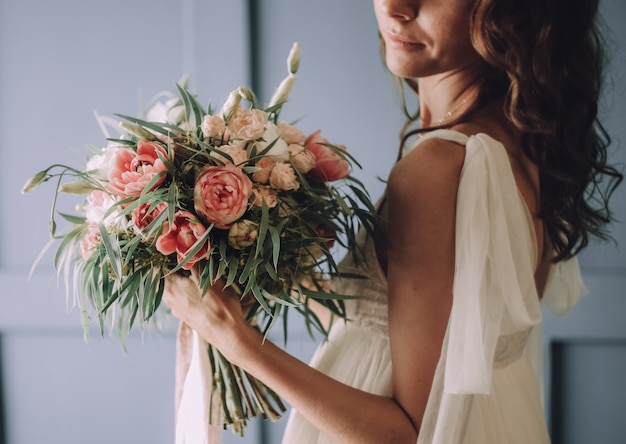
{"x": 237, "y": 193}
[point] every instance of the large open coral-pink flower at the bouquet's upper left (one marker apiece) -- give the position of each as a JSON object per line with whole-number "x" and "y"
{"x": 132, "y": 171}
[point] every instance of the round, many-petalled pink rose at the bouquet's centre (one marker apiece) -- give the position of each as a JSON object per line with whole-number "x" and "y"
{"x": 221, "y": 194}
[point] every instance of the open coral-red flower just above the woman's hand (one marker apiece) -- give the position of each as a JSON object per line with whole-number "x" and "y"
{"x": 180, "y": 236}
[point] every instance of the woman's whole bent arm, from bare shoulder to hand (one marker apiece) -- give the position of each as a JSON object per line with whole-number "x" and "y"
{"x": 421, "y": 202}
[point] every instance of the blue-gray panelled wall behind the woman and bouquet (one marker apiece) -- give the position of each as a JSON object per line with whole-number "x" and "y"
{"x": 60, "y": 61}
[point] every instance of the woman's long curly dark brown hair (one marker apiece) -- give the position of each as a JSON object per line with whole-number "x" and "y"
{"x": 546, "y": 59}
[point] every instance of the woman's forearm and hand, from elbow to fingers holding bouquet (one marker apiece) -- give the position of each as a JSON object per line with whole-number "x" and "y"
{"x": 342, "y": 412}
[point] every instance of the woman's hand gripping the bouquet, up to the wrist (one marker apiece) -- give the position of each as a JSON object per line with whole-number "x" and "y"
{"x": 217, "y": 316}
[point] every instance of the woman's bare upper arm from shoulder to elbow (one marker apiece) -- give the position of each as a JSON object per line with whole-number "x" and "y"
{"x": 422, "y": 192}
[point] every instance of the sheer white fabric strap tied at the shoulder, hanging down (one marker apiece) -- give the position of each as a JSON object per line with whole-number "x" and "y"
{"x": 495, "y": 259}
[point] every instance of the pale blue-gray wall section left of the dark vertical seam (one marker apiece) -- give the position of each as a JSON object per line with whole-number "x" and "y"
{"x": 59, "y": 62}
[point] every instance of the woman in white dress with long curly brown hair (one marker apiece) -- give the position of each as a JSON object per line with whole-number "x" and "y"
{"x": 480, "y": 216}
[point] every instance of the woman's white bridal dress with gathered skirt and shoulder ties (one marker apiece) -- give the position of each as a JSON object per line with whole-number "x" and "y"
{"x": 485, "y": 390}
